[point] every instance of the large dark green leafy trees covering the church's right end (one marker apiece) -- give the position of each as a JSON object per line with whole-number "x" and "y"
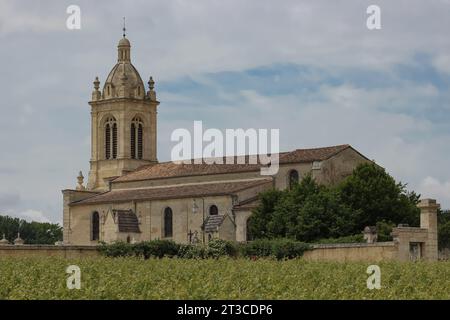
{"x": 310, "y": 212}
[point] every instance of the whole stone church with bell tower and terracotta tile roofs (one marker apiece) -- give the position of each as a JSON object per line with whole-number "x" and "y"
{"x": 130, "y": 196}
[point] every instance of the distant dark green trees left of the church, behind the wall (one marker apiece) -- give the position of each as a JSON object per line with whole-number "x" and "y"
{"x": 31, "y": 232}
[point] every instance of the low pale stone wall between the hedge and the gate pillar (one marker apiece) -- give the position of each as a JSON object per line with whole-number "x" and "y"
{"x": 343, "y": 252}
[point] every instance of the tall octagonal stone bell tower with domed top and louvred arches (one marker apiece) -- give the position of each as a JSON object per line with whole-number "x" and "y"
{"x": 123, "y": 122}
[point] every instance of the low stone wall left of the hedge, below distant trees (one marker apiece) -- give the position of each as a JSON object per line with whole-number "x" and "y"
{"x": 63, "y": 251}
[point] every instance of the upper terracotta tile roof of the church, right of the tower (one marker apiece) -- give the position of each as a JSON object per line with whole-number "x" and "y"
{"x": 171, "y": 169}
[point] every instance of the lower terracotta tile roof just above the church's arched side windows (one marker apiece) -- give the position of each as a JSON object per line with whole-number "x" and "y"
{"x": 174, "y": 192}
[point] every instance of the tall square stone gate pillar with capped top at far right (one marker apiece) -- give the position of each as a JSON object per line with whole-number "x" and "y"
{"x": 428, "y": 220}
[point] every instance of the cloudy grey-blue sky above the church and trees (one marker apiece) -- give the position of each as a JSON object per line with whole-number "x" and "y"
{"x": 310, "y": 68}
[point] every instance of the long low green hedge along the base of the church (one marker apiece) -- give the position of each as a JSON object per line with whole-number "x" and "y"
{"x": 216, "y": 248}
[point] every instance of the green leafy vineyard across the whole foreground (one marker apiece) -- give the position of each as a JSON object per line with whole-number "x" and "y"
{"x": 225, "y": 278}
